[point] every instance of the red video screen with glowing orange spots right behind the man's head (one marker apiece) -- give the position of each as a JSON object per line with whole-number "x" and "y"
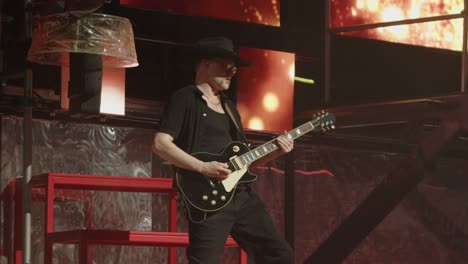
{"x": 265, "y": 90}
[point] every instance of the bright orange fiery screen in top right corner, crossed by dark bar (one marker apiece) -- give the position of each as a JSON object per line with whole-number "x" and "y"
{"x": 447, "y": 34}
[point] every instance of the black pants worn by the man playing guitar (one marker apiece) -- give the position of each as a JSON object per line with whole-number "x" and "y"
{"x": 248, "y": 222}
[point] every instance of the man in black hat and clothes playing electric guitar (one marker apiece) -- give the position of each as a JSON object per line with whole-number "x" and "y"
{"x": 200, "y": 118}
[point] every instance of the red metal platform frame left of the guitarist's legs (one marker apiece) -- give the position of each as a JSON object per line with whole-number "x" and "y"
{"x": 54, "y": 182}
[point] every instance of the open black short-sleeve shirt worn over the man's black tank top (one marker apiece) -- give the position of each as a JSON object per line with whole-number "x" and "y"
{"x": 182, "y": 116}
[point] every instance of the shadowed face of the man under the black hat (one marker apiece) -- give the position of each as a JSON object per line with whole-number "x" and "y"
{"x": 221, "y": 72}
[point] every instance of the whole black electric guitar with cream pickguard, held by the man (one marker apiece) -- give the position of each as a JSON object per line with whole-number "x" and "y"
{"x": 210, "y": 194}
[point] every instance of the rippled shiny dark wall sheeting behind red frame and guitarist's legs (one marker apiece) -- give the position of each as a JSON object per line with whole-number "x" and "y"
{"x": 429, "y": 226}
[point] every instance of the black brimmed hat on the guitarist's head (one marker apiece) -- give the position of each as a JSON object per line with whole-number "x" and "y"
{"x": 219, "y": 47}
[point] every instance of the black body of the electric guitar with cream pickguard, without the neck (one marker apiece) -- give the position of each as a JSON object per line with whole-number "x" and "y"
{"x": 210, "y": 194}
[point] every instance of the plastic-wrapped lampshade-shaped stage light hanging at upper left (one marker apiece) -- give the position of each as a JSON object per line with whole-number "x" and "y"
{"x": 92, "y": 49}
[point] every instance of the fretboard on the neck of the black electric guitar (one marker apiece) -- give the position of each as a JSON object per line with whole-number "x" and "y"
{"x": 265, "y": 149}
